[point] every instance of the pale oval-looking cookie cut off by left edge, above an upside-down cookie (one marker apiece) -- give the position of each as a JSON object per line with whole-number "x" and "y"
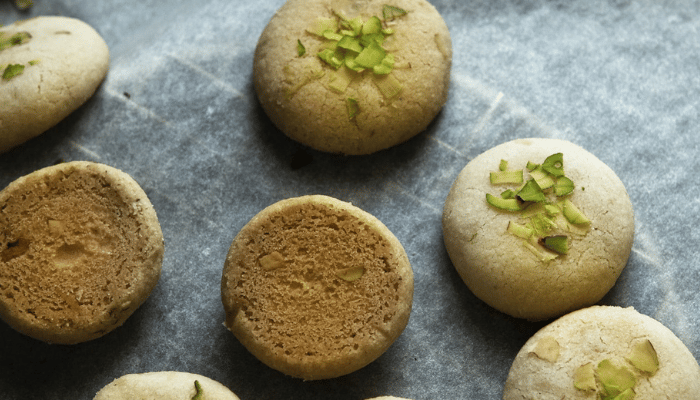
{"x": 63, "y": 60}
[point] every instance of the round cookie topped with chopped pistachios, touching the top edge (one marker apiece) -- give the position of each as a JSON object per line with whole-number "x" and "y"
{"x": 339, "y": 110}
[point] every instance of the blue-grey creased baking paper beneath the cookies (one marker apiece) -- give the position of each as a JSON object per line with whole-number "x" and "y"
{"x": 178, "y": 113}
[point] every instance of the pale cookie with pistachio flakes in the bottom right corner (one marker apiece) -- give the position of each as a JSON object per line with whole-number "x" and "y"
{"x": 572, "y": 357}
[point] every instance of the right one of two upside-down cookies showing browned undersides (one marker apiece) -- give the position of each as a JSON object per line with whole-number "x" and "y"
{"x": 316, "y": 288}
